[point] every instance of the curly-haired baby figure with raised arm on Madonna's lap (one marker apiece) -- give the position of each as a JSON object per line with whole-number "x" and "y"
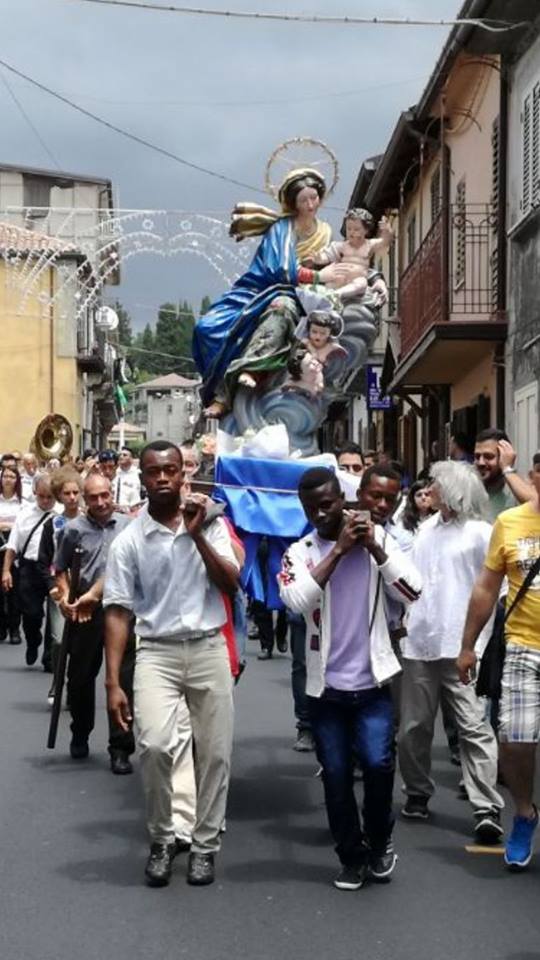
{"x": 356, "y": 250}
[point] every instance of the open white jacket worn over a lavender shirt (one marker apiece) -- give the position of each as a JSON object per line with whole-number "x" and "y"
{"x": 397, "y": 578}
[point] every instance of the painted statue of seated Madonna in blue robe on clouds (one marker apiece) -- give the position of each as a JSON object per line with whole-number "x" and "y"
{"x": 243, "y": 344}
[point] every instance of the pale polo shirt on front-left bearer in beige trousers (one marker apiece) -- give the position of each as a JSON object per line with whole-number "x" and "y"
{"x": 160, "y": 576}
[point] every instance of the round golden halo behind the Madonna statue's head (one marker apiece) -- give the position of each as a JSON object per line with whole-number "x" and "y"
{"x": 296, "y": 154}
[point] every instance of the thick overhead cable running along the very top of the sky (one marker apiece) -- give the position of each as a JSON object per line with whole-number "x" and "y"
{"x": 494, "y": 26}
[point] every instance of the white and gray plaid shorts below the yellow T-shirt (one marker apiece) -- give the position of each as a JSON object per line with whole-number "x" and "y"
{"x": 519, "y": 717}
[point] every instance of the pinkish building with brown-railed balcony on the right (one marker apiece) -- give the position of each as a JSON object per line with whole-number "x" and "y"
{"x": 442, "y": 179}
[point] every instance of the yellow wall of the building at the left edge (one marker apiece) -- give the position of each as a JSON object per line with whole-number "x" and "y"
{"x": 25, "y": 365}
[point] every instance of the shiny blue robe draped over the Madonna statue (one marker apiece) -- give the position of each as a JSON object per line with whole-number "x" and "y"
{"x": 223, "y": 333}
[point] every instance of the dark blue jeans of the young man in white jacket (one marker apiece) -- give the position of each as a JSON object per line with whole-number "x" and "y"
{"x": 351, "y": 726}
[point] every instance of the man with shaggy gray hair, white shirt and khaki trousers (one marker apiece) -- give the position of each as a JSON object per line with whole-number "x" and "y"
{"x": 449, "y": 553}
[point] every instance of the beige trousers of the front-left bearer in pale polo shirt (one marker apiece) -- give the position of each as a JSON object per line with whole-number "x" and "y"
{"x": 168, "y": 678}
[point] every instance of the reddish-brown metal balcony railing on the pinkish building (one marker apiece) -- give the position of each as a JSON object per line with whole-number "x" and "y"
{"x": 453, "y": 275}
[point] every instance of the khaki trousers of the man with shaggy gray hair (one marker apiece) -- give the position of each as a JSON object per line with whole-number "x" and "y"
{"x": 424, "y": 684}
